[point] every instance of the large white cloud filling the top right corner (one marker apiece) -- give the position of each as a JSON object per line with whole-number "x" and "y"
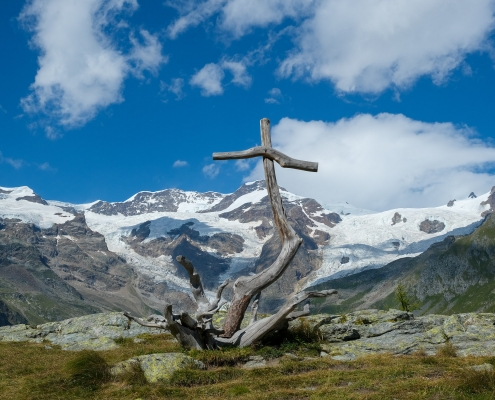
{"x": 369, "y": 45}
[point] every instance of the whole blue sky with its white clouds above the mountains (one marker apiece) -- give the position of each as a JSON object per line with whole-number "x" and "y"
{"x": 100, "y": 99}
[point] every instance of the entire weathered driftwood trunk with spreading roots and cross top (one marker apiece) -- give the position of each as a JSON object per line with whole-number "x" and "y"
{"x": 197, "y": 331}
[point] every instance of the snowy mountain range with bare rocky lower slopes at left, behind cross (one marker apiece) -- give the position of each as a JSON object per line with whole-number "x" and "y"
{"x": 113, "y": 256}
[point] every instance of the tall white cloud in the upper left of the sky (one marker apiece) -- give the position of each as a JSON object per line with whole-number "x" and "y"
{"x": 81, "y": 69}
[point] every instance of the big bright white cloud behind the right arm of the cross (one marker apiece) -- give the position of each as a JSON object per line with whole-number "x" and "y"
{"x": 384, "y": 161}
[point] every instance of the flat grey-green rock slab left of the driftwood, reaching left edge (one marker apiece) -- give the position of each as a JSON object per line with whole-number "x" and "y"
{"x": 90, "y": 332}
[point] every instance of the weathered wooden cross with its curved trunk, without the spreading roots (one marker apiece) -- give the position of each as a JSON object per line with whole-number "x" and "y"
{"x": 247, "y": 287}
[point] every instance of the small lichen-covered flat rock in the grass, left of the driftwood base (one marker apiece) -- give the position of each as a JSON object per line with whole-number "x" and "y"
{"x": 157, "y": 367}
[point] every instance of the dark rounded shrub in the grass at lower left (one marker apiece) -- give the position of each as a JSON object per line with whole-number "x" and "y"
{"x": 88, "y": 369}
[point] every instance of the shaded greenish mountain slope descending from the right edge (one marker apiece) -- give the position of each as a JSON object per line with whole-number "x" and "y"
{"x": 452, "y": 276}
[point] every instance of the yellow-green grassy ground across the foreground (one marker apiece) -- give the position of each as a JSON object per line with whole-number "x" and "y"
{"x": 29, "y": 371}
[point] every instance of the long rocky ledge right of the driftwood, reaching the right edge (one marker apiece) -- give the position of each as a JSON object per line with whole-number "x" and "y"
{"x": 349, "y": 336}
